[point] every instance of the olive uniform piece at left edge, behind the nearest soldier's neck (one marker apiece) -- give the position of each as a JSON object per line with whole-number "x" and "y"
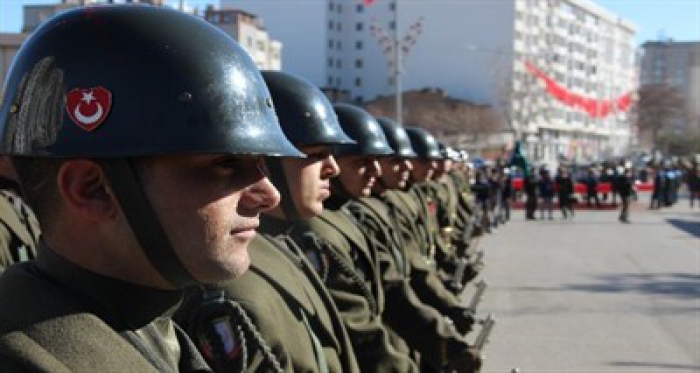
{"x": 19, "y": 229}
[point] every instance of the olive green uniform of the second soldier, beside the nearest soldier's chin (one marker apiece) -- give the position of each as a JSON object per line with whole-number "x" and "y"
{"x": 291, "y": 310}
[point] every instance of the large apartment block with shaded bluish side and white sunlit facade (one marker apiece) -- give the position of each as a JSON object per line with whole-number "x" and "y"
{"x": 560, "y": 71}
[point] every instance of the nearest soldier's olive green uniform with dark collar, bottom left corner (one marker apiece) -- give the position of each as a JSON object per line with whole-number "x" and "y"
{"x": 57, "y": 317}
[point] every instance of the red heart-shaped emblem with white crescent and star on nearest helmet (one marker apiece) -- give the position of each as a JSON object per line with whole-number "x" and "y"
{"x": 88, "y": 107}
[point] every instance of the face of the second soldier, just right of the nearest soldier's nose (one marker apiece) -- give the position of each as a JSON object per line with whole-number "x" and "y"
{"x": 309, "y": 179}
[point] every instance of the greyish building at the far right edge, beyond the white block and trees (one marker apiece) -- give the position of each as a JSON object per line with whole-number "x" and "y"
{"x": 676, "y": 64}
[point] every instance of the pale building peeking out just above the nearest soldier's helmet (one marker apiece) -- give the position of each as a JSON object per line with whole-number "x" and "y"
{"x": 250, "y": 32}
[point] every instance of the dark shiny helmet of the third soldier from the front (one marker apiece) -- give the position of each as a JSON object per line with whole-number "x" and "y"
{"x": 364, "y": 129}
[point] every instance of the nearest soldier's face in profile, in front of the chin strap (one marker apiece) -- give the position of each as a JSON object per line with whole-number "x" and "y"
{"x": 209, "y": 207}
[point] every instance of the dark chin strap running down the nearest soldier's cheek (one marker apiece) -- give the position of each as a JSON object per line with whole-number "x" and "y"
{"x": 144, "y": 222}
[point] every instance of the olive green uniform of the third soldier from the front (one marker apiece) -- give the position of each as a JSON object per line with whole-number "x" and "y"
{"x": 354, "y": 281}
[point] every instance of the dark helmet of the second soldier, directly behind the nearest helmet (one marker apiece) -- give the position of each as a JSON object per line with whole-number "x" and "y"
{"x": 304, "y": 112}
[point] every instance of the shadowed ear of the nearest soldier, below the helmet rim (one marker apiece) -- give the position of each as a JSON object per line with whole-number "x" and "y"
{"x": 86, "y": 192}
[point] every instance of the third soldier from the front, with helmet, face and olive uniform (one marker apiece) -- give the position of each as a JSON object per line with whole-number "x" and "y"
{"x": 353, "y": 272}
